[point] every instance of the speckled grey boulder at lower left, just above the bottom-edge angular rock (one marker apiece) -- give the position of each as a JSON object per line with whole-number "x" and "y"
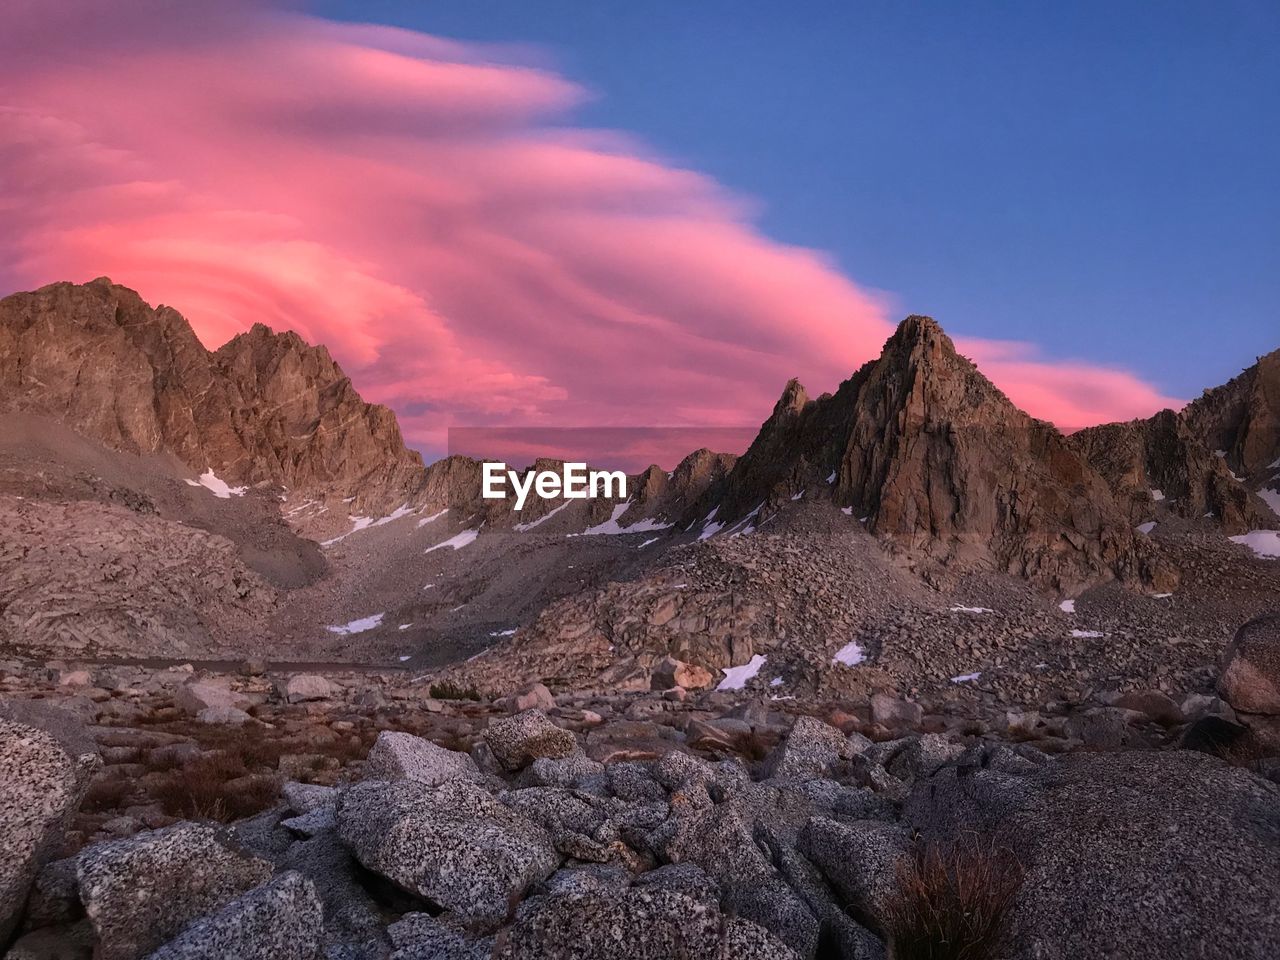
{"x": 143, "y": 892}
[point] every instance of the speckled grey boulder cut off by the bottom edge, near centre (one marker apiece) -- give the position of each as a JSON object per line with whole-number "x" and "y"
{"x": 637, "y": 924}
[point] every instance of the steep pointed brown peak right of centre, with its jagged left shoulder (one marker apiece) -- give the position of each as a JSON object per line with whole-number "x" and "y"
{"x": 943, "y": 464}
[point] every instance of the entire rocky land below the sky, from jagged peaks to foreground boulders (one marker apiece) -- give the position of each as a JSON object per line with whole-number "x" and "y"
{"x": 917, "y": 675}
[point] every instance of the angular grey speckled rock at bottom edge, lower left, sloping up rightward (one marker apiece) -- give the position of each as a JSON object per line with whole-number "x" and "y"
{"x": 280, "y": 921}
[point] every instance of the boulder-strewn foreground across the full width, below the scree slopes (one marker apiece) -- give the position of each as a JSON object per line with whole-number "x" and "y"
{"x": 173, "y": 816}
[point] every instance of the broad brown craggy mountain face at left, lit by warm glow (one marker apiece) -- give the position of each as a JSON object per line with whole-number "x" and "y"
{"x": 266, "y": 406}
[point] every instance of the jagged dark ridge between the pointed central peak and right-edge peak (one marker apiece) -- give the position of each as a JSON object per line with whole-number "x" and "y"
{"x": 1163, "y": 460}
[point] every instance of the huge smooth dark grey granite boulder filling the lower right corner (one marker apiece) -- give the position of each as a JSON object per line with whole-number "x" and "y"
{"x": 1144, "y": 856}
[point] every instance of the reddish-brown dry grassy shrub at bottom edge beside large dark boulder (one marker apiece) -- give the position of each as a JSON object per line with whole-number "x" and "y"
{"x": 953, "y": 902}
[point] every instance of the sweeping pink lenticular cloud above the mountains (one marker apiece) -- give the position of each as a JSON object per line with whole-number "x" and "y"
{"x": 426, "y": 209}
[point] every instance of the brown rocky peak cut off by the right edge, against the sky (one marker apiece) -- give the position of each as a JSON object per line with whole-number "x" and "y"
{"x": 1242, "y": 418}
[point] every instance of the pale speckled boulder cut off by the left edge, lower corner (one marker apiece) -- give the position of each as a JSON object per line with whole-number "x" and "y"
{"x": 42, "y": 784}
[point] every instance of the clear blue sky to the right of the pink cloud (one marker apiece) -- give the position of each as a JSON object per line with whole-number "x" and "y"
{"x": 1099, "y": 179}
